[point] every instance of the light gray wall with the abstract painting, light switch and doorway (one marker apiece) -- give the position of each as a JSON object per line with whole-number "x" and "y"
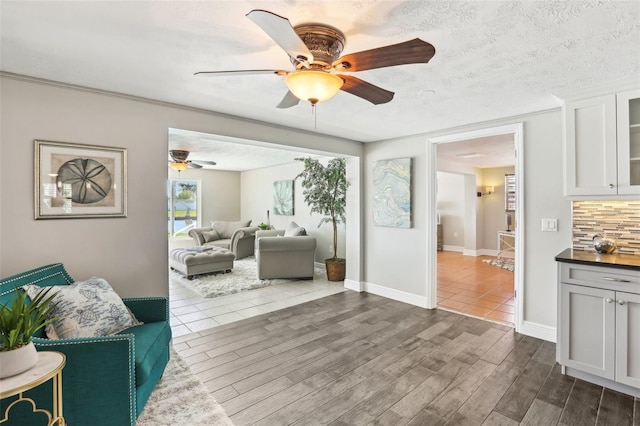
{"x": 395, "y": 257}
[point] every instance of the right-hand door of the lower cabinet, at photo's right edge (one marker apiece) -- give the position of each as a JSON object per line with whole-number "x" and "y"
{"x": 628, "y": 339}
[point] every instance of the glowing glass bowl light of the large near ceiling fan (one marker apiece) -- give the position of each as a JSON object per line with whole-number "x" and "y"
{"x": 313, "y": 86}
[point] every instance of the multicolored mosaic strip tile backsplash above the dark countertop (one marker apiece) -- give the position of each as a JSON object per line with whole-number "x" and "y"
{"x": 619, "y": 220}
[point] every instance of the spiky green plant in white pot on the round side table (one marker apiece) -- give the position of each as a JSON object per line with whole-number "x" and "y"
{"x": 19, "y": 320}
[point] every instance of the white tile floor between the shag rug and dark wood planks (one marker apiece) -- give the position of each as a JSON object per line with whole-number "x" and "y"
{"x": 190, "y": 312}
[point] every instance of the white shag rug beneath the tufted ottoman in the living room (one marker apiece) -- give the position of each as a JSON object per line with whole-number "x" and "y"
{"x": 243, "y": 277}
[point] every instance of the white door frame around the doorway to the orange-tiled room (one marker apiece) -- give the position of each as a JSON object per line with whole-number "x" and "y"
{"x": 432, "y": 265}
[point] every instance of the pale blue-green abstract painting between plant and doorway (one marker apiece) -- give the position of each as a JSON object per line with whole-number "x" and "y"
{"x": 392, "y": 193}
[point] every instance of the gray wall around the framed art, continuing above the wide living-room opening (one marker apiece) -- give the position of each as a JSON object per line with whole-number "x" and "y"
{"x": 130, "y": 253}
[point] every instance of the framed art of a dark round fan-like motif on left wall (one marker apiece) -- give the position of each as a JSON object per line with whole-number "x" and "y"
{"x": 79, "y": 181}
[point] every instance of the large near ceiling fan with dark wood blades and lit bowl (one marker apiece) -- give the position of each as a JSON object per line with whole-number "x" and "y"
{"x": 314, "y": 50}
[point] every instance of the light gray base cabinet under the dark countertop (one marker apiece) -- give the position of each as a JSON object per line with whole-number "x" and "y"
{"x": 599, "y": 325}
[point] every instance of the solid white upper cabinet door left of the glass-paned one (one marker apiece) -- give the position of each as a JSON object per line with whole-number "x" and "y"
{"x": 590, "y": 147}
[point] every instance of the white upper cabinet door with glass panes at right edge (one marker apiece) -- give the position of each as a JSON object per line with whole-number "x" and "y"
{"x": 628, "y": 111}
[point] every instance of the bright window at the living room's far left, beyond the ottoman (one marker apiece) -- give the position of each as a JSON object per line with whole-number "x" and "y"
{"x": 183, "y": 196}
